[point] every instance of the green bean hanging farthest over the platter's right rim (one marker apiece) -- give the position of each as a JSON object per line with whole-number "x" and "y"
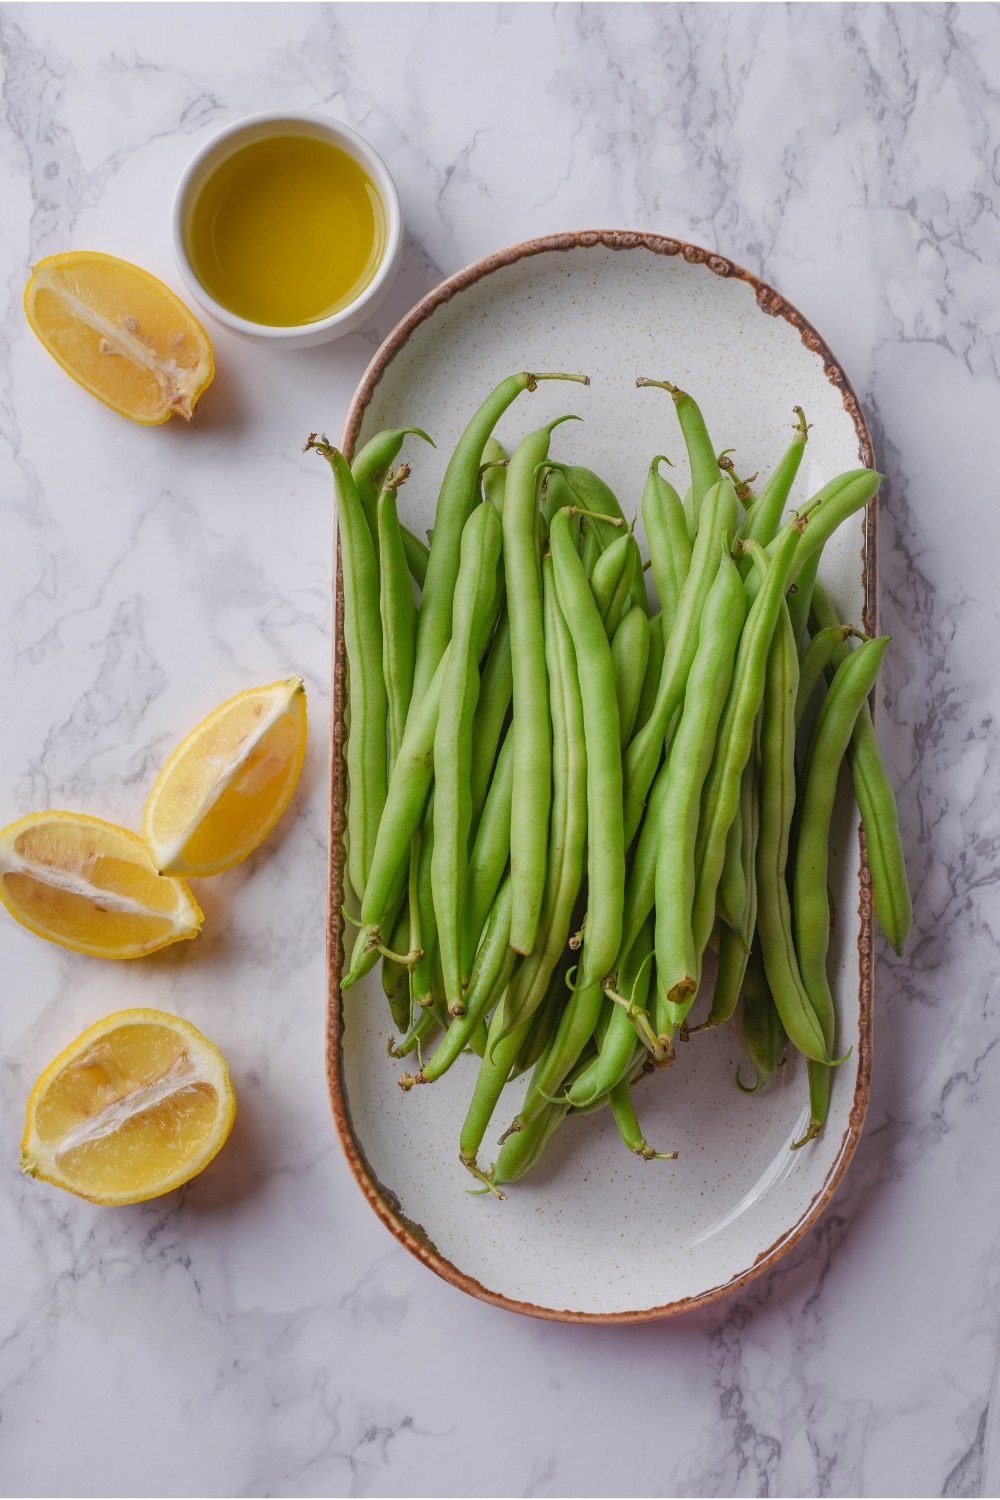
{"x": 876, "y": 805}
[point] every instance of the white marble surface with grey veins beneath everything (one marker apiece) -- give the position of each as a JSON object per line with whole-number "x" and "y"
{"x": 262, "y": 1334}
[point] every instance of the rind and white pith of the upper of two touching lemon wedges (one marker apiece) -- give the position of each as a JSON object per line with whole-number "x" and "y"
{"x": 170, "y": 859}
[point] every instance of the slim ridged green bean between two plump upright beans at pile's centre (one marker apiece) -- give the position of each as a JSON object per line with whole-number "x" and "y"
{"x": 567, "y": 835}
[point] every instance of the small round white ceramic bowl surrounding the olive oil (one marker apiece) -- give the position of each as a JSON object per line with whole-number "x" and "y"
{"x": 266, "y": 127}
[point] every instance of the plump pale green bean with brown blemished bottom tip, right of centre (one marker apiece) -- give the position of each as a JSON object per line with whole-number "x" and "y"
{"x": 692, "y": 754}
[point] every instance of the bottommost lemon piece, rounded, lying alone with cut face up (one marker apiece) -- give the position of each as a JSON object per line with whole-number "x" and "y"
{"x": 137, "y": 1106}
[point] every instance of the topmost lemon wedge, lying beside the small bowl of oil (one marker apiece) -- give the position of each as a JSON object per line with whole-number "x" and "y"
{"x": 121, "y": 334}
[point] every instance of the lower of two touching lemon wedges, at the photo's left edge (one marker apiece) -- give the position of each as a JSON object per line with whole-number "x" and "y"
{"x": 92, "y": 887}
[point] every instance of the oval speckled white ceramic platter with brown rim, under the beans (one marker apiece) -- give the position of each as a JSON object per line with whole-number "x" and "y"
{"x": 596, "y": 1234}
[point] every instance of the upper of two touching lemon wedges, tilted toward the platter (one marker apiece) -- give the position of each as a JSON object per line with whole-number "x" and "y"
{"x": 229, "y": 782}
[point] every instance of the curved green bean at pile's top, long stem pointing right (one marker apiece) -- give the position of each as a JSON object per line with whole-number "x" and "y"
{"x": 457, "y": 499}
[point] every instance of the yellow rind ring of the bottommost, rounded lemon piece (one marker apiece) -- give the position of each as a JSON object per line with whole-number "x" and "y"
{"x": 34, "y": 1153}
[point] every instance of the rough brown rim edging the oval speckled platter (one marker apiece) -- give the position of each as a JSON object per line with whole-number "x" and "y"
{"x": 383, "y": 1199}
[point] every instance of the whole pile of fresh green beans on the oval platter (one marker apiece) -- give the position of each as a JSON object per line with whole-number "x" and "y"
{"x": 570, "y": 781}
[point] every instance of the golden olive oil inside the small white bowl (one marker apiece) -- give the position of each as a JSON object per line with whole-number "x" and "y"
{"x": 287, "y": 230}
